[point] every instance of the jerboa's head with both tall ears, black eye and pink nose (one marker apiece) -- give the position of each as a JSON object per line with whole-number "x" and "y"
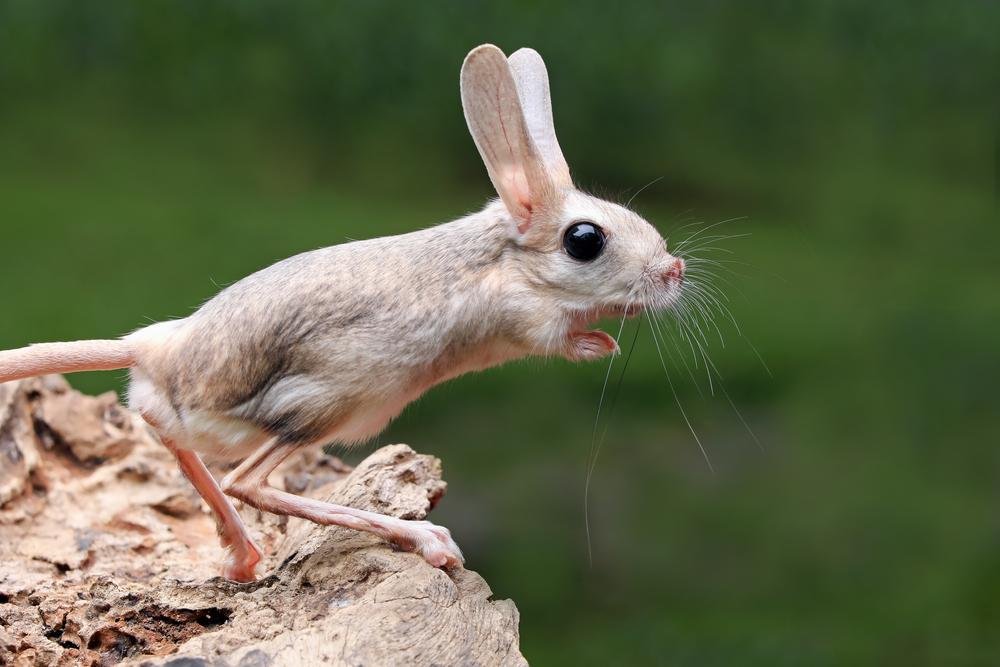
{"x": 592, "y": 258}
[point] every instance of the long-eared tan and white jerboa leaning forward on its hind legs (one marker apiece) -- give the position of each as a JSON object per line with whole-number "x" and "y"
{"x": 330, "y": 345}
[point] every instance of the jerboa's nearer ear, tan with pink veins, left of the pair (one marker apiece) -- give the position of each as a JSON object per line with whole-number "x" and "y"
{"x": 497, "y": 123}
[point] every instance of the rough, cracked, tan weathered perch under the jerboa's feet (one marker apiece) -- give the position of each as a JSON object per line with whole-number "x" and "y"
{"x": 107, "y": 556}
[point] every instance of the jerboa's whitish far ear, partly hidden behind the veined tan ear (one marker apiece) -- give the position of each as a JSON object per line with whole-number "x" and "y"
{"x": 533, "y": 88}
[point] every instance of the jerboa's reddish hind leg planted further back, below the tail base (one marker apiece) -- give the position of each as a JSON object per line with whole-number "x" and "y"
{"x": 243, "y": 554}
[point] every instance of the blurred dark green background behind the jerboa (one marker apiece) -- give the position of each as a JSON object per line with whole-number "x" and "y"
{"x": 153, "y": 151}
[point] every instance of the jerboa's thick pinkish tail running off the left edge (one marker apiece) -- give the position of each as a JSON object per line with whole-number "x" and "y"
{"x": 81, "y": 355}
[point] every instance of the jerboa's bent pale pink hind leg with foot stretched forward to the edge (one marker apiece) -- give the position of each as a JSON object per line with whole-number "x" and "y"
{"x": 248, "y": 482}
